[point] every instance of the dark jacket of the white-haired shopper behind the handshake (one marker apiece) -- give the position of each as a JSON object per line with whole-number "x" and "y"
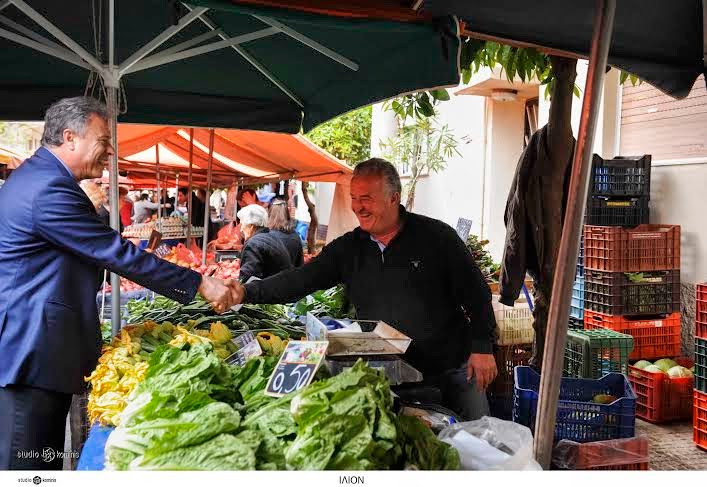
{"x": 263, "y": 255}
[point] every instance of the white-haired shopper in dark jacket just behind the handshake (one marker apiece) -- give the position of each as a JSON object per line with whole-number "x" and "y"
{"x": 263, "y": 253}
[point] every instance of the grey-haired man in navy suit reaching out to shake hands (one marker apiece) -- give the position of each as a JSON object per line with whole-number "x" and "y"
{"x": 52, "y": 244}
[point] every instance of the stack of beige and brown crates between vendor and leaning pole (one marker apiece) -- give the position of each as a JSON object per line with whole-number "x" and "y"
{"x": 514, "y": 347}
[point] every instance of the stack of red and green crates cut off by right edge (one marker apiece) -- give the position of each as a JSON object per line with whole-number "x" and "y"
{"x": 699, "y": 416}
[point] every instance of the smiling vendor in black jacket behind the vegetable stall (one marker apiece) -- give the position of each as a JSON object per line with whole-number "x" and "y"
{"x": 414, "y": 273}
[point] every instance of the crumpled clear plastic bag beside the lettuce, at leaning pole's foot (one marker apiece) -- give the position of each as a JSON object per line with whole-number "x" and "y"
{"x": 492, "y": 444}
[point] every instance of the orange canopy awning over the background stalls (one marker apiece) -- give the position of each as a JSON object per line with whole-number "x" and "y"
{"x": 245, "y": 156}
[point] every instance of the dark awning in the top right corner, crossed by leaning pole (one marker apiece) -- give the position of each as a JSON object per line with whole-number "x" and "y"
{"x": 660, "y": 41}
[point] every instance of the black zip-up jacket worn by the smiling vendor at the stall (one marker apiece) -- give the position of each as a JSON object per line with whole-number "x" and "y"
{"x": 426, "y": 284}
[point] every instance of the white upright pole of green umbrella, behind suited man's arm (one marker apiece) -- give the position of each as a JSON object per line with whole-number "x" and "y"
{"x": 112, "y": 103}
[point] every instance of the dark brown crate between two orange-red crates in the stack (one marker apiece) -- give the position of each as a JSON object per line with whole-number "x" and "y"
{"x": 614, "y": 293}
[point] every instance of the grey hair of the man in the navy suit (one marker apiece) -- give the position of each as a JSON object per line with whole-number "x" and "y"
{"x": 72, "y": 114}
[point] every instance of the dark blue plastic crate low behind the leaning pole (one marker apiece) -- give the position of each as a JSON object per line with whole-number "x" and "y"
{"x": 578, "y": 418}
